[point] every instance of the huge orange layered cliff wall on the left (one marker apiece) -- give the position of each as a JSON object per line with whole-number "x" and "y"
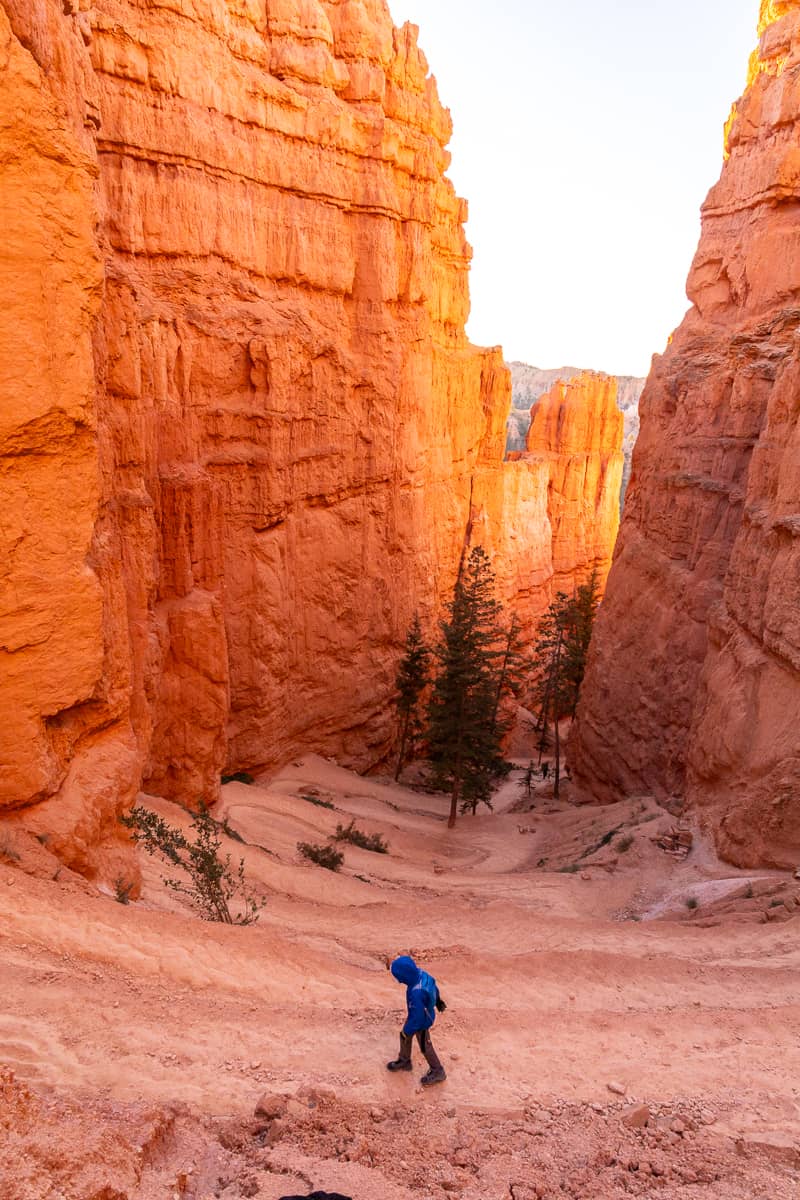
{"x": 246, "y": 436}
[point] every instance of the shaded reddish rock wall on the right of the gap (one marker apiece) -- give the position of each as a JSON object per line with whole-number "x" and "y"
{"x": 694, "y": 688}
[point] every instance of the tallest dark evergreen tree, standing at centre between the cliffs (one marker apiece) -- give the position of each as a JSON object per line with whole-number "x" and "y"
{"x": 464, "y": 728}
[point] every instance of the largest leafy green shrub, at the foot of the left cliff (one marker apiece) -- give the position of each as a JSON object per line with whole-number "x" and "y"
{"x": 209, "y": 881}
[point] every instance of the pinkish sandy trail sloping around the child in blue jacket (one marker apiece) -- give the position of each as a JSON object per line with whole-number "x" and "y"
{"x": 551, "y": 995}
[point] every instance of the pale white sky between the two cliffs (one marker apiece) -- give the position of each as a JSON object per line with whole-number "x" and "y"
{"x": 587, "y": 136}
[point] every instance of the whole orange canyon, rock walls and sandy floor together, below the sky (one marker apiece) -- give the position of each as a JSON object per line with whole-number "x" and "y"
{"x": 245, "y": 443}
